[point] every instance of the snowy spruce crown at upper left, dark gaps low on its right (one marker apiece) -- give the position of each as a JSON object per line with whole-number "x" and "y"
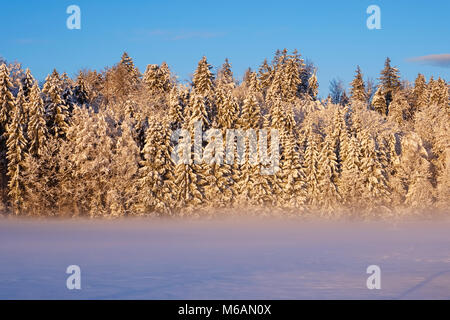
{"x": 56, "y": 112}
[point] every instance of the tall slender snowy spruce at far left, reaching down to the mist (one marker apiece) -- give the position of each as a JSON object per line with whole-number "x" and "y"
{"x": 16, "y": 145}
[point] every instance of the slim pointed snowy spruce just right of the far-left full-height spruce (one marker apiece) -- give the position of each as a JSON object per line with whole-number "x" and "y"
{"x": 37, "y": 129}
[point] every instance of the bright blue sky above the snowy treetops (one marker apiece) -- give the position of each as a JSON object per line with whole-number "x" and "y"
{"x": 333, "y": 34}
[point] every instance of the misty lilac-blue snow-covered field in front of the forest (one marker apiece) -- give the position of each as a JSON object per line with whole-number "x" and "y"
{"x": 223, "y": 259}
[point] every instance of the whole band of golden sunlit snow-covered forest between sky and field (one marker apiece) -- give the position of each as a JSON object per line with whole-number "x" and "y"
{"x": 100, "y": 145}
